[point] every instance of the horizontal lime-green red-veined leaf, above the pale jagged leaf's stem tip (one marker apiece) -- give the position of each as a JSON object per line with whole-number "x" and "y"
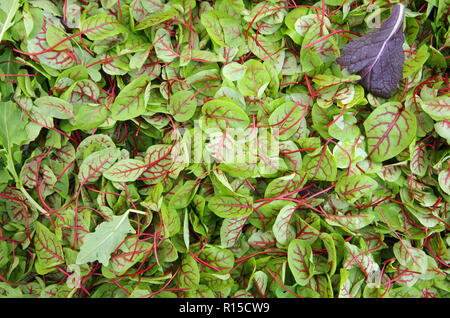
{"x": 126, "y": 170}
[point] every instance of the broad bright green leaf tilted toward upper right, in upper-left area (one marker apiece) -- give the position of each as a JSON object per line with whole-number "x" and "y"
{"x": 132, "y": 99}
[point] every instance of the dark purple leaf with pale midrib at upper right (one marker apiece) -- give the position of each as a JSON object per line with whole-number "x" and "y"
{"x": 377, "y": 56}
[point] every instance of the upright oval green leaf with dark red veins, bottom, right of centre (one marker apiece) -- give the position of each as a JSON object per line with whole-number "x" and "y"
{"x": 300, "y": 261}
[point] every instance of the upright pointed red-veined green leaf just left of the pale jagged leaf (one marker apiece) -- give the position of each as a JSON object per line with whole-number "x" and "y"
{"x": 48, "y": 249}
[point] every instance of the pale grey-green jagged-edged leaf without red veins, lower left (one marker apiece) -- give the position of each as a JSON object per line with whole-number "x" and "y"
{"x": 99, "y": 245}
